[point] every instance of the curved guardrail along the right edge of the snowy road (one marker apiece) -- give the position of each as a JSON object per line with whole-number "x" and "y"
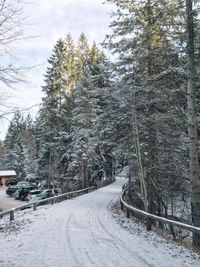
{"x": 129, "y": 208}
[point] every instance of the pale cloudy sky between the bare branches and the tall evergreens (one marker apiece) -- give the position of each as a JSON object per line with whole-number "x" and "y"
{"x": 49, "y": 20}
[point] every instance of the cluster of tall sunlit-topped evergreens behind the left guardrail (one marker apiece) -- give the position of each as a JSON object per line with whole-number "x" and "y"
{"x": 75, "y": 82}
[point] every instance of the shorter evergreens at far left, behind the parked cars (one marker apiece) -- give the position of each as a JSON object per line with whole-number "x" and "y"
{"x": 19, "y": 146}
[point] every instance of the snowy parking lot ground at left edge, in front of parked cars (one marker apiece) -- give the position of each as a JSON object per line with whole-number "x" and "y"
{"x": 6, "y": 202}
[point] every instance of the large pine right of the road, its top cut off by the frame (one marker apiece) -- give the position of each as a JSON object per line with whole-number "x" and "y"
{"x": 142, "y": 37}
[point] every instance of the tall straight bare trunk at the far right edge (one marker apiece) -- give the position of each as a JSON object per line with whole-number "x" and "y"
{"x": 192, "y": 124}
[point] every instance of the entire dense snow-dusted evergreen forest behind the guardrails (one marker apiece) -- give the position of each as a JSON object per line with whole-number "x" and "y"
{"x": 137, "y": 111}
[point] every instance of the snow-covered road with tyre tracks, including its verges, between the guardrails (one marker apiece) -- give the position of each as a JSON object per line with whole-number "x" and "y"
{"x": 83, "y": 232}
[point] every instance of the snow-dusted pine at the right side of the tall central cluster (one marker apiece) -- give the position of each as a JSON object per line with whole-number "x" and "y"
{"x": 89, "y": 149}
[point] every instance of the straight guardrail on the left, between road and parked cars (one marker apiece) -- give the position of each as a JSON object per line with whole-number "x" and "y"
{"x": 51, "y": 200}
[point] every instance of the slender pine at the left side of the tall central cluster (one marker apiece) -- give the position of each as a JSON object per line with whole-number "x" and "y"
{"x": 48, "y": 126}
